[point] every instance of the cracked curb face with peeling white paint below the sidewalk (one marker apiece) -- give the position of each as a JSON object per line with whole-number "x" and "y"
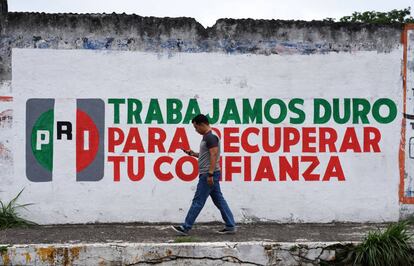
{"x": 239, "y": 253}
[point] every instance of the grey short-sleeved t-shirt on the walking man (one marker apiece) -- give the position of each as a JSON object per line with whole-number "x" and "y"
{"x": 209, "y": 141}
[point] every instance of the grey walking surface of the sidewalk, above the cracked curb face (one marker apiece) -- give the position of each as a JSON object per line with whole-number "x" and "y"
{"x": 161, "y": 233}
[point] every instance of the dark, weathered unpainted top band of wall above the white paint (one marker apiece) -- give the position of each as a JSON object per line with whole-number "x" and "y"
{"x": 136, "y": 33}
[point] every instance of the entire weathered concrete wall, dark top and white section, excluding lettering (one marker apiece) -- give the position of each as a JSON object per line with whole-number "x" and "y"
{"x": 178, "y": 58}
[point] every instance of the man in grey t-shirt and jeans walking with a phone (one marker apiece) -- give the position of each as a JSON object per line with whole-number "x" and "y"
{"x": 208, "y": 180}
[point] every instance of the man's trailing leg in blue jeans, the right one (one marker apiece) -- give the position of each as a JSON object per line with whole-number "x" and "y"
{"x": 221, "y": 203}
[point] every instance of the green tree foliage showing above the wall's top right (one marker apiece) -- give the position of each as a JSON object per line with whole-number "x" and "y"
{"x": 393, "y": 16}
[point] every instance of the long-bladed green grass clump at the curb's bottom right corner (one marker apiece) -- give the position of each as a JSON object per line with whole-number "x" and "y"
{"x": 388, "y": 247}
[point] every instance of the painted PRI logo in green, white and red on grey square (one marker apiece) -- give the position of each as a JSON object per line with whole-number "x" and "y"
{"x": 87, "y": 133}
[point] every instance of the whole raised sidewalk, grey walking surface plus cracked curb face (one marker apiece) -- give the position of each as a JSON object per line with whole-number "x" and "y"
{"x": 133, "y": 244}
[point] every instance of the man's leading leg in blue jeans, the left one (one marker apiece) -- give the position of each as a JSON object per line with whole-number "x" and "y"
{"x": 200, "y": 197}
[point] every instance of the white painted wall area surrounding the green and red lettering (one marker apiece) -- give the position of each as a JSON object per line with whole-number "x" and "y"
{"x": 370, "y": 192}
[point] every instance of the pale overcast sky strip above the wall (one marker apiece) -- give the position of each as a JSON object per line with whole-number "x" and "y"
{"x": 208, "y": 11}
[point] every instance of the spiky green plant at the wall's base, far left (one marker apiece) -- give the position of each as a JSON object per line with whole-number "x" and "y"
{"x": 9, "y": 216}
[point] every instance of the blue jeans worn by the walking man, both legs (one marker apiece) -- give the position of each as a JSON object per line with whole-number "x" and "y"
{"x": 200, "y": 197}
